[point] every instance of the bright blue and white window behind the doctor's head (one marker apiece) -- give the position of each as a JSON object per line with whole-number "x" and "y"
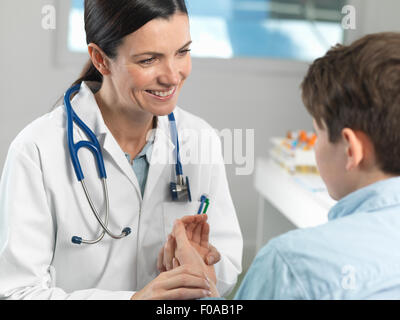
{"x": 288, "y": 29}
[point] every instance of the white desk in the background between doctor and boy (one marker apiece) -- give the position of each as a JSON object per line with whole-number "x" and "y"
{"x": 303, "y": 207}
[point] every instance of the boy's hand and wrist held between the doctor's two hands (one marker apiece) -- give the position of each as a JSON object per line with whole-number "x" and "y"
{"x": 186, "y": 254}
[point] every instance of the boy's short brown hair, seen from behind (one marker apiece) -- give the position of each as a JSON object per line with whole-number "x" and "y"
{"x": 358, "y": 87}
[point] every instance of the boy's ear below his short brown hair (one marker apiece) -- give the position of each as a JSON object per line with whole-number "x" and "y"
{"x": 355, "y": 149}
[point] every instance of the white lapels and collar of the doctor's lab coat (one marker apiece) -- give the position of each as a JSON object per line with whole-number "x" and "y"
{"x": 85, "y": 106}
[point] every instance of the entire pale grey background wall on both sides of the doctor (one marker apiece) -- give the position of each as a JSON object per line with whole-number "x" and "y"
{"x": 262, "y": 95}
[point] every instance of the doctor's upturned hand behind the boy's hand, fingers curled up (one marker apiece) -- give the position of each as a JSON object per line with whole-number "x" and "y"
{"x": 197, "y": 231}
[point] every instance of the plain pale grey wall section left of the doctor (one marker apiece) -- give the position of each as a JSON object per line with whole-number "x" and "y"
{"x": 30, "y": 81}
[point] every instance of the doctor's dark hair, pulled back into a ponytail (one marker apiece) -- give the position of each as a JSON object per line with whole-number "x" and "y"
{"x": 107, "y": 22}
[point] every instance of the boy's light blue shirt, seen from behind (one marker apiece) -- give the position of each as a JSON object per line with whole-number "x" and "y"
{"x": 356, "y": 255}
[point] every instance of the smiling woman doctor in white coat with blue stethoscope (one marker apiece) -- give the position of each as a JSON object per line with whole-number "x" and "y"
{"x": 139, "y": 60}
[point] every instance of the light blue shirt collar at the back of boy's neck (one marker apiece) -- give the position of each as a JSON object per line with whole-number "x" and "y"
{"x": 373, "y": 197}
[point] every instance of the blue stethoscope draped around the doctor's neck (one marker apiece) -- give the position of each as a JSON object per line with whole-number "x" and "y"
{"x": 180, "y": 190}
